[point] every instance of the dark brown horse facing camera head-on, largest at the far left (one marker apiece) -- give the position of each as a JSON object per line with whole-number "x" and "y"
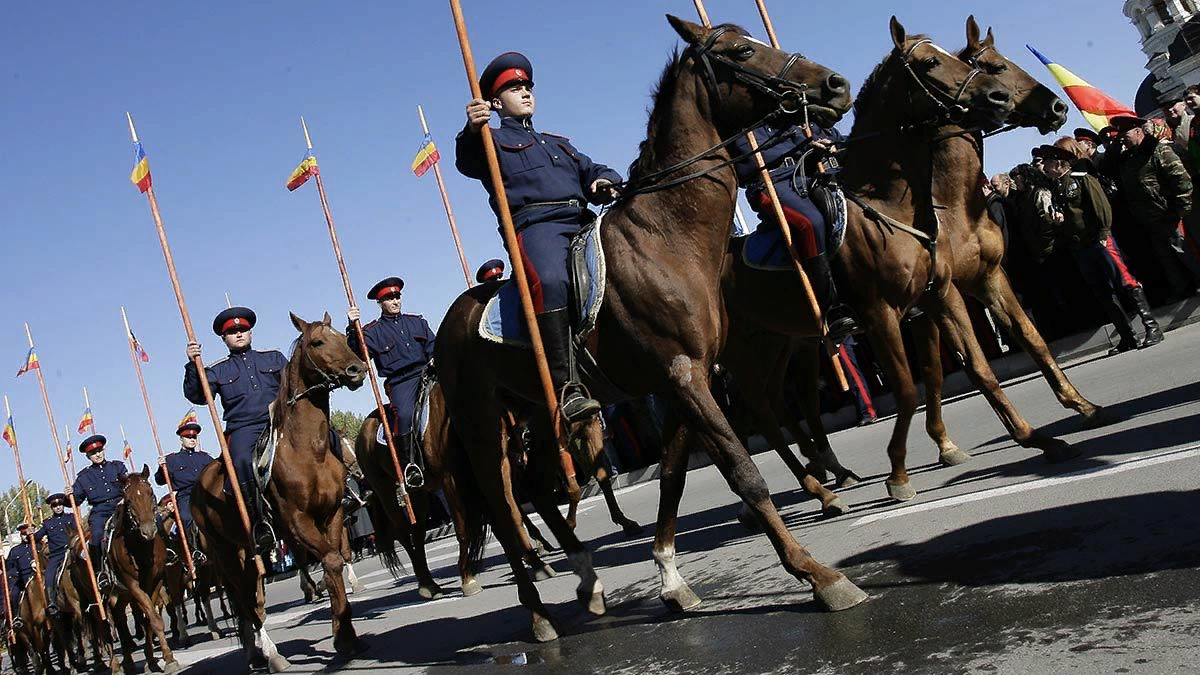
{"x": 137, "y": 555}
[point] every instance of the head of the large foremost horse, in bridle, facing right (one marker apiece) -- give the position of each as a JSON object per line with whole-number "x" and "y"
{"x": 751, "y": 80}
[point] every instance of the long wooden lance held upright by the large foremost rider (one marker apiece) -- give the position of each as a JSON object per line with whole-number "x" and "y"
{"x": 511, "y": 243}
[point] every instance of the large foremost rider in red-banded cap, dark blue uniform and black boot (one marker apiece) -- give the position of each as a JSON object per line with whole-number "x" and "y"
{"x": 549, "y": 186}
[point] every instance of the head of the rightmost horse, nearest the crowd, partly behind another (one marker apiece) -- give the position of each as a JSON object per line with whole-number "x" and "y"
{"x": 1035, "y": 104}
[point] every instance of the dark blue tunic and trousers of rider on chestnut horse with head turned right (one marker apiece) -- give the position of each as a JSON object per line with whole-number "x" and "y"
{"x": 247, "y": 384}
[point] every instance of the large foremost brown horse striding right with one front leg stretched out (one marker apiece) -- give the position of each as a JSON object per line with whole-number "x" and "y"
{"x": 663, "y": 322}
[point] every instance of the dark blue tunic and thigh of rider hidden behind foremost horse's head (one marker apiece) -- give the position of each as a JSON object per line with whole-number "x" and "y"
{"x": 808, "y": 224}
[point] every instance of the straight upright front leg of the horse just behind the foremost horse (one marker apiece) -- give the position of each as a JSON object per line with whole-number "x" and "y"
{"x": 884, "y": 330}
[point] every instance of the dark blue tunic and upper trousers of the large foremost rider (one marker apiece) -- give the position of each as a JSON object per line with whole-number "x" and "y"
{"x": 547, "y": 182}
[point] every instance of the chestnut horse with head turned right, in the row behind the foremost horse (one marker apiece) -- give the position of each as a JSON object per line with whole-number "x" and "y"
{"x": 305, "y": 493}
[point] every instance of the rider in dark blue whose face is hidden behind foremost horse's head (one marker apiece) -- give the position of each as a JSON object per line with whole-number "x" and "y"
{"x": 794, "y": 186}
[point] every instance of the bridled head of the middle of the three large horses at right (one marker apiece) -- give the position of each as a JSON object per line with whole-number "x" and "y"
{"x": 921, "y": 83}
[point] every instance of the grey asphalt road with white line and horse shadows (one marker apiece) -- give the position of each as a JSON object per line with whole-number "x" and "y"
{"x": 1003, "y": 565}
